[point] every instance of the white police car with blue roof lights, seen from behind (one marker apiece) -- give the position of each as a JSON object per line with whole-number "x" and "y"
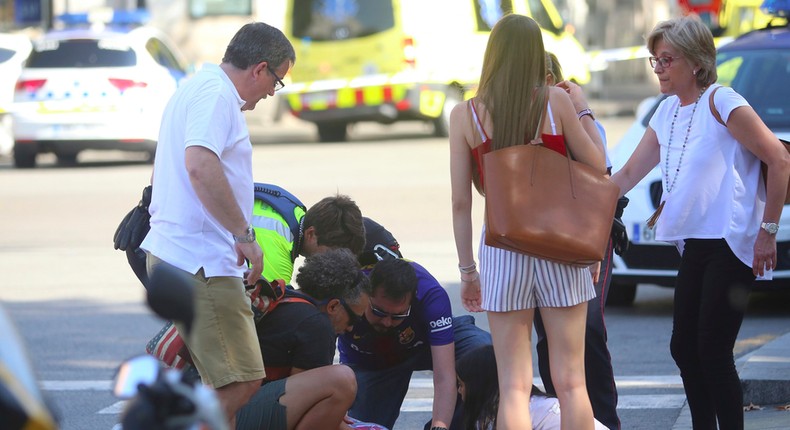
{"x": 102, "y": 85}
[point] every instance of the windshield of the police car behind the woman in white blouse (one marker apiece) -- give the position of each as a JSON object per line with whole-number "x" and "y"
{"x": 748, "y": 71}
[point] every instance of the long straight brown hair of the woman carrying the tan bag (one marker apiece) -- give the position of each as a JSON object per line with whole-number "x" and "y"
{"x": 513, "y": 81}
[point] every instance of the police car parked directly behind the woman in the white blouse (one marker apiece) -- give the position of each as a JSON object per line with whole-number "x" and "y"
{"x": 747, "y": 64}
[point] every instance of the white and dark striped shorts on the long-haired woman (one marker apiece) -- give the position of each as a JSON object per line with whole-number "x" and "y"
{"x": 511, "y": 281}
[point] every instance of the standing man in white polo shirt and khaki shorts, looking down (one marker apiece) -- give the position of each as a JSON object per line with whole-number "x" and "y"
{"x": 202, "y": 203}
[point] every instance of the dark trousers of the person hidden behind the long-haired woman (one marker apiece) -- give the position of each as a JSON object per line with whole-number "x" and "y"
{"x": 597, "y": 361}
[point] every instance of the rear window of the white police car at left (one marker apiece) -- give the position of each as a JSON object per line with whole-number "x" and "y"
{"x": 81, "y": 53}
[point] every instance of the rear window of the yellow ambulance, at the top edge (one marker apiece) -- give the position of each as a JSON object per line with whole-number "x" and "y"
{"x": 320, "y": 20}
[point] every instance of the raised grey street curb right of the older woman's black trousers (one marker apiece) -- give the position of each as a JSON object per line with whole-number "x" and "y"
{"x": 765, "y": 375}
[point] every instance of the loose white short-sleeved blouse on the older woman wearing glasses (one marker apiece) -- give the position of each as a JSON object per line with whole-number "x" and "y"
{"x": 718, "y": 192}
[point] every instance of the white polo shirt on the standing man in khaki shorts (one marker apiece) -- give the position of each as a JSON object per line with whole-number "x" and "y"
{"x": 205, "y": 111}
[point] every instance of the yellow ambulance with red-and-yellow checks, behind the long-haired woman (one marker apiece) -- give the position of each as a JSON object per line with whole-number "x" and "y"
{"x": 397, "y": 60}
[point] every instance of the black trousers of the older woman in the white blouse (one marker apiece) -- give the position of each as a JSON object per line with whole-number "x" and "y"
{"x": 711, "y": 296}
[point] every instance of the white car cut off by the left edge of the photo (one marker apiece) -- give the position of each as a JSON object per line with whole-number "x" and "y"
{"x": 14, "y": 49}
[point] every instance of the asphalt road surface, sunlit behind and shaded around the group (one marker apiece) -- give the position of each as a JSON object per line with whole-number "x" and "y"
{"x": 79, "y": 307}
